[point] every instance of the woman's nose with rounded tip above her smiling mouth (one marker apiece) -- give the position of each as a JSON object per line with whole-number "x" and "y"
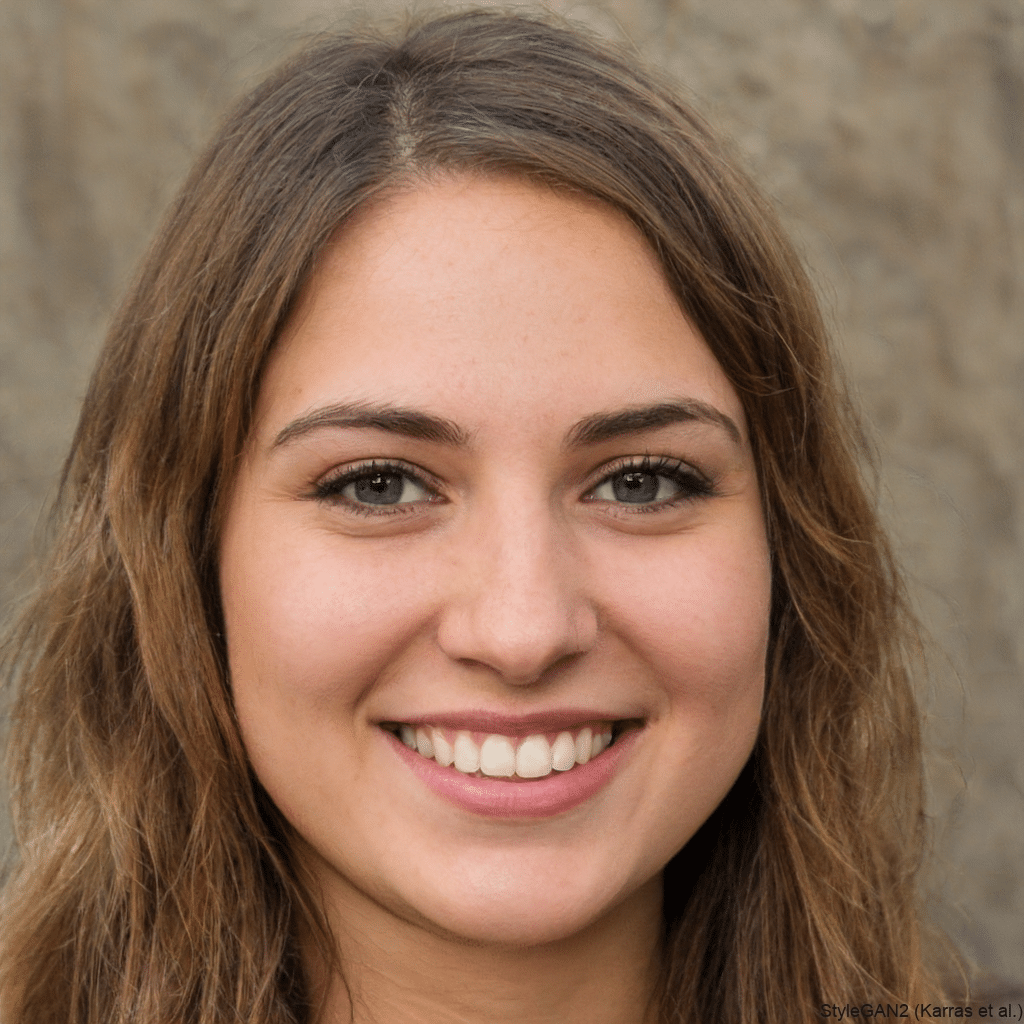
{"x": 518, "y": 604}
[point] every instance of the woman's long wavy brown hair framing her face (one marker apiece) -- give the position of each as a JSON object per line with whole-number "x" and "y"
{"x": 154, "y": 881}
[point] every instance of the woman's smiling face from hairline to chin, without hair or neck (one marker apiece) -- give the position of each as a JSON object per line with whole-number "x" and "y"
{"x": 499, "y": 501}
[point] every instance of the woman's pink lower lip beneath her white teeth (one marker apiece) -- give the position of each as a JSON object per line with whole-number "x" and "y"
{"x": 499, "y": 798}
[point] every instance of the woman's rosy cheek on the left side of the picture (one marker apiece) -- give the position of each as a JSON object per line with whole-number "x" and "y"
{"x": 313, "y": 625}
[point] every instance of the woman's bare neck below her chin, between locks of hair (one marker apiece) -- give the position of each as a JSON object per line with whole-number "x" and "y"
{"x": 400, "y": 972}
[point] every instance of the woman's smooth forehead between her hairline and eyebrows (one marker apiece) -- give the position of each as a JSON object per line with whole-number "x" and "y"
{"x": 491, "y": 298}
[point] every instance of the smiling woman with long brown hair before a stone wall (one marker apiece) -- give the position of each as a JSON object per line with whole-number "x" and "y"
{"x": 465, "y": 605}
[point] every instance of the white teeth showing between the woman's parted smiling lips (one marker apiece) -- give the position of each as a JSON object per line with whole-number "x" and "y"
{"x": 498, "y": 756}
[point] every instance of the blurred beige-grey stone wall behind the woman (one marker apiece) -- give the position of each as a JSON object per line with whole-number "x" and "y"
{"x": 890, "y": 133}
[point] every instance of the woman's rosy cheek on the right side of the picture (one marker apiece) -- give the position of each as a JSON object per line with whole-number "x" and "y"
{"x": 692, "y": 621}
